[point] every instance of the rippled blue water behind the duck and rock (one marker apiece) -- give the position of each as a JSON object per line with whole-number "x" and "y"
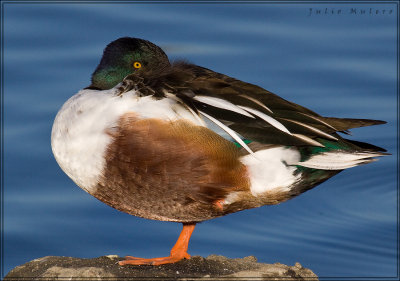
{"x": 340, "y": 65}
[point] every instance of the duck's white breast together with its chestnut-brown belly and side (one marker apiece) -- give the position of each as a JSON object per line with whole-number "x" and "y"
{"x": 149, "y": 158}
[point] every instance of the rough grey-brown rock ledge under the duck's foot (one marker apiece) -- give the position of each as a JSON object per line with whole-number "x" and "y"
{"x": 198, "y": 268}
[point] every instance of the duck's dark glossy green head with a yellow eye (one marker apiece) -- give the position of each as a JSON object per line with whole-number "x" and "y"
{"x": 126, "y": 56}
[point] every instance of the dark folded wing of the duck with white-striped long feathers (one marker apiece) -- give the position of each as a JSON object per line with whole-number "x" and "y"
{"x": 247, "y": 111}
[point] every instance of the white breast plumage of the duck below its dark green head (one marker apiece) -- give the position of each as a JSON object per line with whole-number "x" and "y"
{"x": 79, "y": 136}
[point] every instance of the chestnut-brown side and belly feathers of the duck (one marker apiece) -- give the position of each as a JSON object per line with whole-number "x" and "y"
{"x": 169, "y": 170}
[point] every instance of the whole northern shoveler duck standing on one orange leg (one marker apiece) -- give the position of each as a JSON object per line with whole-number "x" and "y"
{"x": 182, "y": 143}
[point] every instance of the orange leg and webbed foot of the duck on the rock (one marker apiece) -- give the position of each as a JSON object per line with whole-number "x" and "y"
{"x": 178, "y": 252}
